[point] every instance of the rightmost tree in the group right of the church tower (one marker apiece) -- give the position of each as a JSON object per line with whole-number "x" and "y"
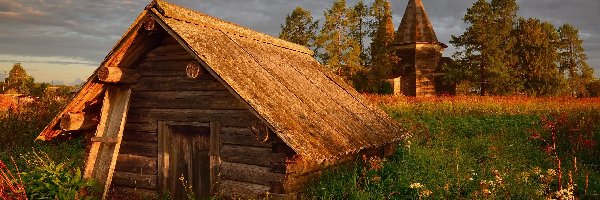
{"x": 573, "y": 60}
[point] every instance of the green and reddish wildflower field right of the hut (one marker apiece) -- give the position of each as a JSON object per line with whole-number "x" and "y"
{"x": 480, "y": 148}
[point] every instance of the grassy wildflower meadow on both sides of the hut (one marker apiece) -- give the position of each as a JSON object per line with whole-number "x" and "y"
{"x": 458, "y": 148}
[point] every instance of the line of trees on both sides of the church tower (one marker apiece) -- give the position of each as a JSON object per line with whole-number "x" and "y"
{"x": 500, "y": 53}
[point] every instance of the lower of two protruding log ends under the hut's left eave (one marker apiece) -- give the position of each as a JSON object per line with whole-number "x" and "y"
{"x": 78, "y": 121}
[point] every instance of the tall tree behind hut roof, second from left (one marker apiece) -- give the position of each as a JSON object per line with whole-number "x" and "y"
{"x": 341, "y": 51}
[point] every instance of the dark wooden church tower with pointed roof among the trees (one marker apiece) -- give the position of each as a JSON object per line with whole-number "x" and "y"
{"x": 420, "y": 53}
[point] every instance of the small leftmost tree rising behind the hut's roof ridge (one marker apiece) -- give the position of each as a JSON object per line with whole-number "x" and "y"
{"x": 299, "y": 28}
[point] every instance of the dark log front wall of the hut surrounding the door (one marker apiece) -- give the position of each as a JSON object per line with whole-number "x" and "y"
{"x": 249, "y": 158}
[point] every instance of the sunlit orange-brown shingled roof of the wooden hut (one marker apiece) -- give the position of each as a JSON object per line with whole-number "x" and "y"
{"x": 312, "y": 110}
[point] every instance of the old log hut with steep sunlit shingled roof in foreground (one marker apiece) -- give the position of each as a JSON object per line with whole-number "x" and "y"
{"x": 234, "y": 112}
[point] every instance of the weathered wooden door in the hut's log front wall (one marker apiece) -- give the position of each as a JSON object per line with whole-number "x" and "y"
{"x": 185, "y": 159}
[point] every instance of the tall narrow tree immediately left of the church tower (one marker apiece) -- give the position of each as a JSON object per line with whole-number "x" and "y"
{"x": 382, "y": 50}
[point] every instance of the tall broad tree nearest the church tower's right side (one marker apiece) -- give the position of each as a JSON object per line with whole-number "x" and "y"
{"x": 484, "y": 54}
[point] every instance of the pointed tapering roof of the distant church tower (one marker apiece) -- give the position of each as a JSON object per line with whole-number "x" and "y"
{"x": 415, "y": 26}
